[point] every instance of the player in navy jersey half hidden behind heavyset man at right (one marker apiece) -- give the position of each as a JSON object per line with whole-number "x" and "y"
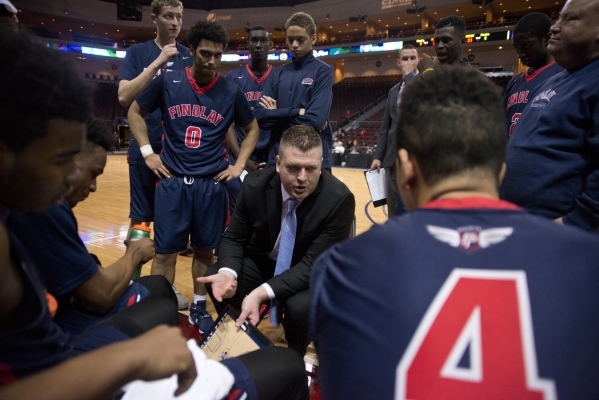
{"x": 530, "y": 38}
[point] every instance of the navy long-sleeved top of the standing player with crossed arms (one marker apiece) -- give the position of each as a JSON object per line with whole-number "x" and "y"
{"x": 307, "y": 84}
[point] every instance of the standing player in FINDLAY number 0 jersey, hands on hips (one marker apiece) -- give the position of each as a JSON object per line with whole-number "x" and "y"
{"x": 198, "y": 106}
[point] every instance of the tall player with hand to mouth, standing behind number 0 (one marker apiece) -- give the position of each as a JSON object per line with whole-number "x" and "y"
{"x": 143, "y": 62}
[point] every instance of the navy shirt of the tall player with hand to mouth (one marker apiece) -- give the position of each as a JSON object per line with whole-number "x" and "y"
{"x": 138, "y": 58}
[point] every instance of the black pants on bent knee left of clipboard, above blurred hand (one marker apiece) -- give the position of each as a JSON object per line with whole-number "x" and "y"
{"x": 159, "y": 308}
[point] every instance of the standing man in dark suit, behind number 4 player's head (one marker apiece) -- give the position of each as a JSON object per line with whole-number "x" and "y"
{"x": 385, "y": 149}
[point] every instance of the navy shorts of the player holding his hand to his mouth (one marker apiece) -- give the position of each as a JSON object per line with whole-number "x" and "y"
{"x": 142, "y": 187}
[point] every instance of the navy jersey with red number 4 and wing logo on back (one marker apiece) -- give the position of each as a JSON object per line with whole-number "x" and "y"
{"x": 461, "y": 299}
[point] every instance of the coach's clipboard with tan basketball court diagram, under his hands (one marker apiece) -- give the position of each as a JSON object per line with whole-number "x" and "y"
{"x": 224, "y": 340}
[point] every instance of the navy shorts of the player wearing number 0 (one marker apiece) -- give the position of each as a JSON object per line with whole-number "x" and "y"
{"x": 189, "y": 206}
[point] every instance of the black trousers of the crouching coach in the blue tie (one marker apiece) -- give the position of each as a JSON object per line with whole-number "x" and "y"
{"x": 295, "y": 308}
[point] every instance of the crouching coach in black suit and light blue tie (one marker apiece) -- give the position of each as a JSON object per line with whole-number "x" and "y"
{"x": 254, "y": 244}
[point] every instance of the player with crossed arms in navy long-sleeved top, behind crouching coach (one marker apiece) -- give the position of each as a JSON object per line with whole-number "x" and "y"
{"x": 300, "y": 92}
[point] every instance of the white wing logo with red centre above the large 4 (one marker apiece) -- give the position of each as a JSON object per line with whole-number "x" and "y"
{"x": 469, "y": 238}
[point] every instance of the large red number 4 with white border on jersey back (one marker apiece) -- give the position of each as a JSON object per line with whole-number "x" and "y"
{"x": 475, "y": 342}
